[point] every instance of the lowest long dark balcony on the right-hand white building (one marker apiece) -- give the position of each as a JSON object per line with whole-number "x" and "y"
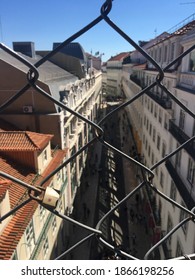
{"x": 186, "y": 196}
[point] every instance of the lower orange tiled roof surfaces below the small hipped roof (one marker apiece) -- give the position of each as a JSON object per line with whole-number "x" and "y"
{"x": 15, "y": 228}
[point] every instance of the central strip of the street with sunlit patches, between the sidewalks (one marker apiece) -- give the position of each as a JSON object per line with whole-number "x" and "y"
{"x": 111, "y": 190}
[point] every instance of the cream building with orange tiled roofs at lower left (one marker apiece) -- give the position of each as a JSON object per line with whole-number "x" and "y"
{"x": 32, "y": 231}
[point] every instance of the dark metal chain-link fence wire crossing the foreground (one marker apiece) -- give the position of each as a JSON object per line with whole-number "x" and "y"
{"x": 34, "y": 192}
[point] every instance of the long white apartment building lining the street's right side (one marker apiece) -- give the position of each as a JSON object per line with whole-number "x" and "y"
{"x": 159, "y": 126}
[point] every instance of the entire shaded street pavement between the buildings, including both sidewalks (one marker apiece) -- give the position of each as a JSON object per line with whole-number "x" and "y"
{"x": 102, "y": 186}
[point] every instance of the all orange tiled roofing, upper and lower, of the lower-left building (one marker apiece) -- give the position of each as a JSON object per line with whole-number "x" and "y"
{"x": 21, "y": 140}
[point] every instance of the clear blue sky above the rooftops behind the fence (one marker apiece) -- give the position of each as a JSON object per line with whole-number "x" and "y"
{"x": 48, "y": 21}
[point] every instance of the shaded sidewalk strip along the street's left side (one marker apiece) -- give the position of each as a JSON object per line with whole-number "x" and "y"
{"x": 85, "y": 205}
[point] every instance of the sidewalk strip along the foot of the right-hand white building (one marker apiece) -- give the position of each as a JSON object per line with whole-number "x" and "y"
{"x": 140, "y": 240}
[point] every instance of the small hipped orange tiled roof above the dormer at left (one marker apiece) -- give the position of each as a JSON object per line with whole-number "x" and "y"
{"x": 23, "y": 140}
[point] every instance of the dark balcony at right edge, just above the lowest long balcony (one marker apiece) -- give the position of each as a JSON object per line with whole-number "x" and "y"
{"x": 181, "y": 137}
